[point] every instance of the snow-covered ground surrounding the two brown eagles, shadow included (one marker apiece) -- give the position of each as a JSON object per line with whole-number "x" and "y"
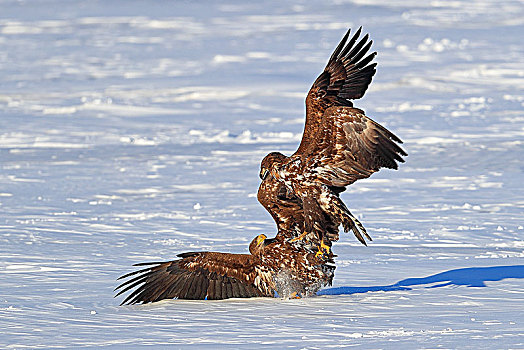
{"x": 132, "y": 131}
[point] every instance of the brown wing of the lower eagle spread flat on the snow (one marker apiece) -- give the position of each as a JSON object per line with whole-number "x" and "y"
{"x": 201, "y": 275}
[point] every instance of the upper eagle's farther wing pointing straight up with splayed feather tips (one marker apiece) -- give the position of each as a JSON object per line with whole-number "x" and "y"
{"x": 346, "y": 77}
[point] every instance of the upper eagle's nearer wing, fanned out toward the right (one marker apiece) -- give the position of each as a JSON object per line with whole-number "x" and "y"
{"x": 351, "y": 146}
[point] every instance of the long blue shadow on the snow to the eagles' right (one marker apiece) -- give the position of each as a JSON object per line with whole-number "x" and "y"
{"x": 470, "y": 277}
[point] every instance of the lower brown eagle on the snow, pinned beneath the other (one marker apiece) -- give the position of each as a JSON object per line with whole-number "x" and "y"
{"x": 274, "y": 266}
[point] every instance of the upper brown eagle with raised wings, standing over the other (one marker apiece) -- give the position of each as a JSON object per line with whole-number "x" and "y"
{"x": 340, "y": 145}
